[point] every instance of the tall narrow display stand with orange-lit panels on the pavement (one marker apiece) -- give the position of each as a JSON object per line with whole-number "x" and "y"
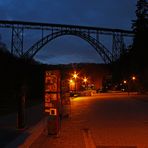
{"x": 52, "y": 100}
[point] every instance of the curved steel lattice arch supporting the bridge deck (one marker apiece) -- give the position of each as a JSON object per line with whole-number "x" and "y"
{"x": 105, "y": 54}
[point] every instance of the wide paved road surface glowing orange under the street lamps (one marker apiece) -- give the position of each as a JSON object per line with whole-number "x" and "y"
{"x": 102, "y": 121}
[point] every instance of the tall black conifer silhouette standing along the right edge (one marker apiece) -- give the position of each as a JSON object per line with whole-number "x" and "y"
{"x": 139, "y": 52}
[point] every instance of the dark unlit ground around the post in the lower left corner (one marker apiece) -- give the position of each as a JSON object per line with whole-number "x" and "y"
{"x": 8, "y": 127}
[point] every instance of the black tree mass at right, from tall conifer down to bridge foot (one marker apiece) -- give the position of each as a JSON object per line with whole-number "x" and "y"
{"x": 135, "y": 59}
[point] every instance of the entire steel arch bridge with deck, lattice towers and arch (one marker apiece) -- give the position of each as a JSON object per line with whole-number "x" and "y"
{"x": 89, "y": 34}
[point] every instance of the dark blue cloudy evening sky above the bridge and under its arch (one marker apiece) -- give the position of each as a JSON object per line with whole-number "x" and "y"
{"x": 97, "y": 13}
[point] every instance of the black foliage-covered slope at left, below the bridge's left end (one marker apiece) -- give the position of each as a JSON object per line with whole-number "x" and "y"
{"x": 14, "y": 74}
